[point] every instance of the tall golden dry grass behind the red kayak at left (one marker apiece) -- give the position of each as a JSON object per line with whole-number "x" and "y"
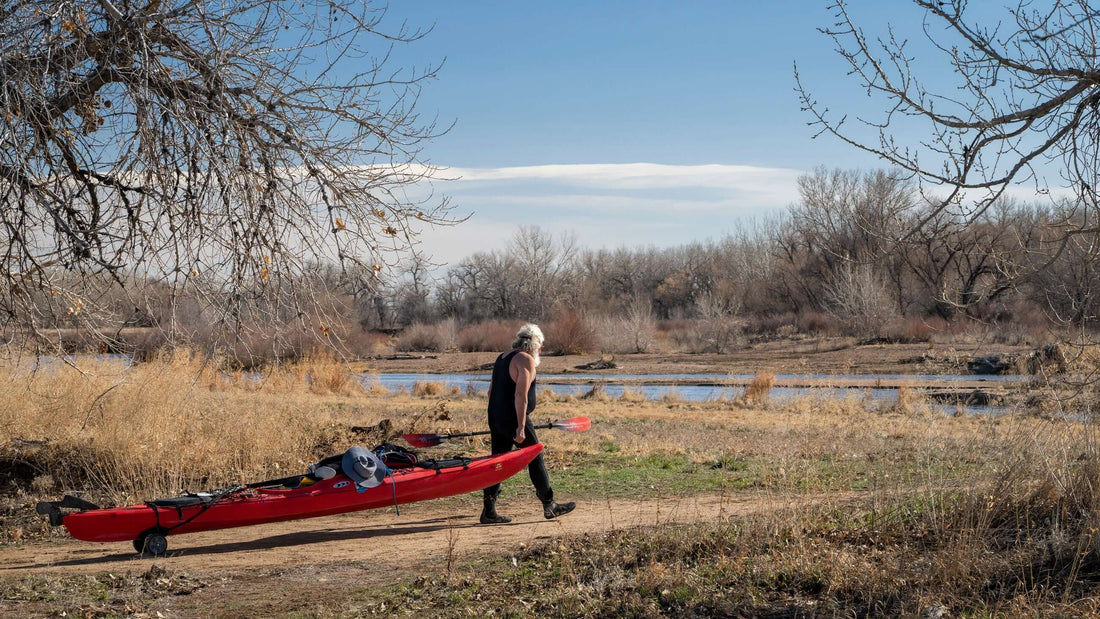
{"x": 133, "y": 434}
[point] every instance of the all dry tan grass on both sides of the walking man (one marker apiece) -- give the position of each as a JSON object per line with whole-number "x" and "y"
{"x": 916, "y": 511}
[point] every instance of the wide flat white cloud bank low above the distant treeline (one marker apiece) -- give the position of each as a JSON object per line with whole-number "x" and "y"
{"x": 606, "y": 205}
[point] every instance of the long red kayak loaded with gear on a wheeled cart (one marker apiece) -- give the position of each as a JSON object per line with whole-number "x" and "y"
{"x": 148, "y": 524}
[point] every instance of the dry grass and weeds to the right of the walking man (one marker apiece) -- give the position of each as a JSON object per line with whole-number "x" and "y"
{"x": 970, "y": 516}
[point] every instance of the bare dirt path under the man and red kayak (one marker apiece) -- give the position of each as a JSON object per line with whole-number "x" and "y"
{"x": 424, "y": 535}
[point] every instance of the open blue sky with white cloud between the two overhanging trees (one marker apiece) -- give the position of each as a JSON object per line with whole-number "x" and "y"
{"x": 628, "y": 124}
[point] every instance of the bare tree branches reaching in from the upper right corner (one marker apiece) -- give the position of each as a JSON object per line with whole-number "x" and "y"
{"x": 1024, "y": 108}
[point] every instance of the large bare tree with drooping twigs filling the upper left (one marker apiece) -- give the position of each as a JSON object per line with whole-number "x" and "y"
{"x": 216, "y": 149}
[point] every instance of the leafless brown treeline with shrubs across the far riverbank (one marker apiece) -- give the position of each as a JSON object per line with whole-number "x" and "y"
{"x": 861, "y": 255}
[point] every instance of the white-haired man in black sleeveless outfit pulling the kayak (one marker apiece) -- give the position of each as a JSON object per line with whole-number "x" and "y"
{"x": 511, "y": 401}
